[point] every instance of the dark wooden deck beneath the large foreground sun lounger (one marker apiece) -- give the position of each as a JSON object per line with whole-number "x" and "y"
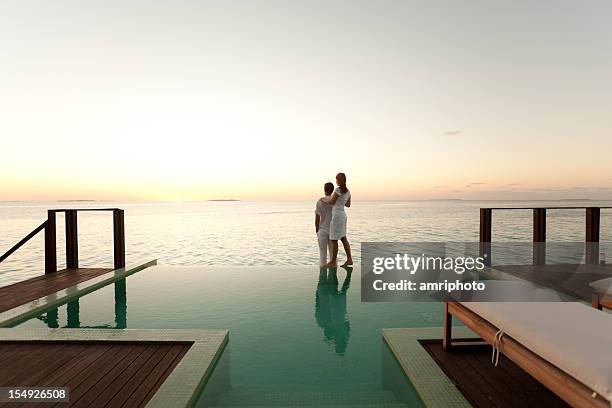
{"x": 483, "y": 384}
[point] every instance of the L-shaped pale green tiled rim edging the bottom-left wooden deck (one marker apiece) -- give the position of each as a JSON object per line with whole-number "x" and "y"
{"x": 182, "y": 387}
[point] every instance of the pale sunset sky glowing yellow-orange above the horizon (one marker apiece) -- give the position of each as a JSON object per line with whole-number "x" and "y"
{"x": 267, "y": 100}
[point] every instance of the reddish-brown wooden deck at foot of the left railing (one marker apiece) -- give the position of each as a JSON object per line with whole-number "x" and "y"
{"x": 23, "y": 292}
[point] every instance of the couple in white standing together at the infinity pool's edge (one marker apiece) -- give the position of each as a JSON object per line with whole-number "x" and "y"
{"x": 330, "y": 222}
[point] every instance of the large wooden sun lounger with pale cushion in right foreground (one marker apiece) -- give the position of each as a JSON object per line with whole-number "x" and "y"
{"x": 565, "y": 346}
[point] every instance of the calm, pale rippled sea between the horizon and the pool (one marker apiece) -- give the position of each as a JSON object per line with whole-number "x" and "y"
{"x": 264, "y": 233}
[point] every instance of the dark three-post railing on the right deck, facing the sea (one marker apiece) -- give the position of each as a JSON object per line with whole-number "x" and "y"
{"x": 592, "y": 221}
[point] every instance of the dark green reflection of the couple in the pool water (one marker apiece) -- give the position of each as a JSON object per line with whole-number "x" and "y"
{"x": 330, "y": 307}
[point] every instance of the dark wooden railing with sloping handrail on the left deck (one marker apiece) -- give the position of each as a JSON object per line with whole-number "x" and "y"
{"x": 72, "y": 240}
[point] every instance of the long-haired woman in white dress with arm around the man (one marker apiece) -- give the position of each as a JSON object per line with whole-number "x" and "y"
{"x": 339, "y": 199}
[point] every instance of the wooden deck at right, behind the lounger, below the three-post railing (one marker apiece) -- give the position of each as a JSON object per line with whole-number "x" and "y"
{"x": 570, "y": 279}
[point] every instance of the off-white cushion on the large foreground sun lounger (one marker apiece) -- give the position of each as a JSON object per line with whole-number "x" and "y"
{"x": 572, "y": 336}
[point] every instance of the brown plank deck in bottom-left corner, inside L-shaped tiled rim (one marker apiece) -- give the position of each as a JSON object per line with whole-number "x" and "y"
{"x": 96, "y": 373}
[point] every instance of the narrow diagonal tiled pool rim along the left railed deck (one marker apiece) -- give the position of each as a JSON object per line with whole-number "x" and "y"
{"x": 34, "y": 308}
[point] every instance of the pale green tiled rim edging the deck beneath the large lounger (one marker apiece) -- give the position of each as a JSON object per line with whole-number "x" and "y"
{"x": 433, "y": 386}
